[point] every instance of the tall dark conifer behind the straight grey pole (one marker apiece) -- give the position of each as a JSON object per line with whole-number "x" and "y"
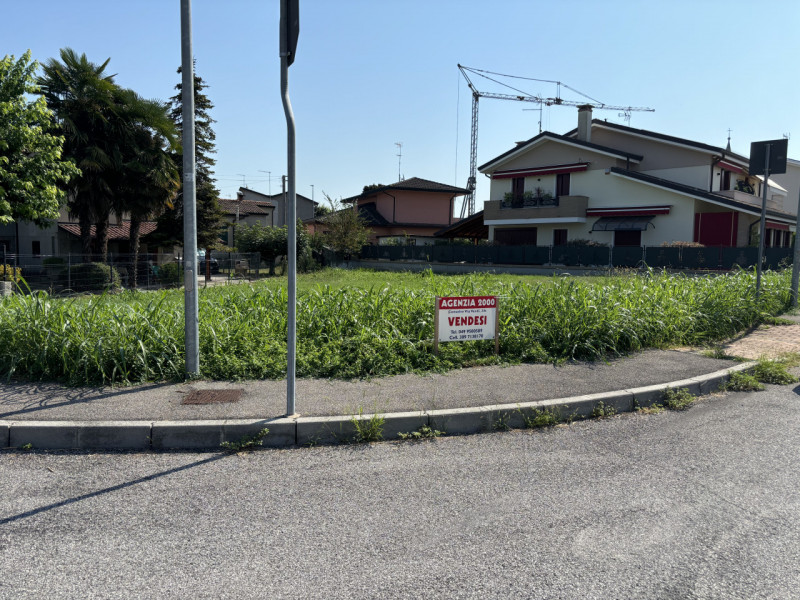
{"x": 209, "y": 214}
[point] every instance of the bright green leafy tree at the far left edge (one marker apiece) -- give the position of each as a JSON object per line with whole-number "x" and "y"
{"x": 31, "y": 165}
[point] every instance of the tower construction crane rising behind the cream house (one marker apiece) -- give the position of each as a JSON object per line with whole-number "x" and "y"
{"x": 520, "y": 96}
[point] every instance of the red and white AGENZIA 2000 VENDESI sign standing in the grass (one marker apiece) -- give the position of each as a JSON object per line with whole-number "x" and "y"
{"x": 466, "y": 318}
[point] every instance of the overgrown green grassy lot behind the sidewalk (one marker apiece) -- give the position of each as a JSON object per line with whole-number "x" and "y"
{"x": 358, "y": 324}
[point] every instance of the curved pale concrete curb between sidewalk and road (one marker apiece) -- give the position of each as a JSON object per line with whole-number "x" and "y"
{"x": 303, "y": 431}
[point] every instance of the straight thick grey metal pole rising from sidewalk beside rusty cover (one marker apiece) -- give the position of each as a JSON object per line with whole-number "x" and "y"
{"x": 191, "y": 319}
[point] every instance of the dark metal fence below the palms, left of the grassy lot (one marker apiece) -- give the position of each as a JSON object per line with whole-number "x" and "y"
{"x": 74, "y": 273}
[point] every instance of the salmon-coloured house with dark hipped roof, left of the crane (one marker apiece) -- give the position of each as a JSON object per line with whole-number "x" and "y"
{"x": 410, "y": 211}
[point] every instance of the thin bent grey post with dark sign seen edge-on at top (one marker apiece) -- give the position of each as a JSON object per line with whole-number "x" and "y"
{"x": 289, "y": 31}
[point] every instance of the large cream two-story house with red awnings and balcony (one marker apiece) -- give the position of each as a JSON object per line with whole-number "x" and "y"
{"x": 628, "y": 187}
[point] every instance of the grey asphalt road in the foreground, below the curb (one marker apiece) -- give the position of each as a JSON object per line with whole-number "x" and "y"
{"x": 696, "y": 504}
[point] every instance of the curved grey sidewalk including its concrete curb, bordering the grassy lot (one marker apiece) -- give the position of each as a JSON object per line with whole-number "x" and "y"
{"x": 204, "y": 413}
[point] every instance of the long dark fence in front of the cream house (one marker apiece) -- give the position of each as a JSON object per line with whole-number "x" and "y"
{"x": 671, "y": 257}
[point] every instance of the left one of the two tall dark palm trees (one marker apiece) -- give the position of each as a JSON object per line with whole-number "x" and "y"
{"x": 83, "y": 98}
